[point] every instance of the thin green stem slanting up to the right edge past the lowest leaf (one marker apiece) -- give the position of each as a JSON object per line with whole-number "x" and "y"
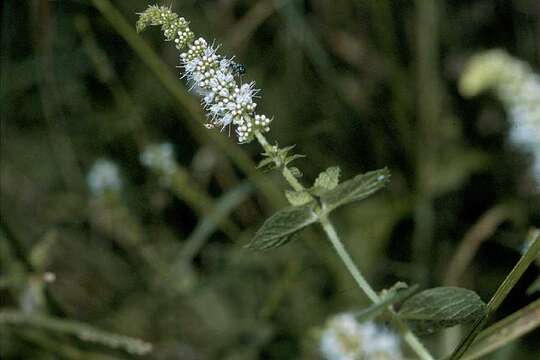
{"x": 501, "y": 293}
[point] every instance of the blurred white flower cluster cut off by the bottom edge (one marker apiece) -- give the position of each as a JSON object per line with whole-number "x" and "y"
{"x": 344, "y": 338}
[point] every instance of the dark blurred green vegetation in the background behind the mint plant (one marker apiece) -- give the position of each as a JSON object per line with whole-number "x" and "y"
{"x": 97, "y": 243}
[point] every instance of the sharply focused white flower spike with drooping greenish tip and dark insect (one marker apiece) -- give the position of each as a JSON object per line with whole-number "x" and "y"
{"x": 228, "y": 102}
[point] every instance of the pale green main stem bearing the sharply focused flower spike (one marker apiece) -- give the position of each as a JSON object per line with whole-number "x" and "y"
{"x": 360, "y": 280}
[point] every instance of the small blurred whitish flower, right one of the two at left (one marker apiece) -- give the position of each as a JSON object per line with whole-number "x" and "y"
{"x": 160, "y": 158}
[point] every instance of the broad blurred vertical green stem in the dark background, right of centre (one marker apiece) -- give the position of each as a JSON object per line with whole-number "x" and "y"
{"x": 430, "y": 120}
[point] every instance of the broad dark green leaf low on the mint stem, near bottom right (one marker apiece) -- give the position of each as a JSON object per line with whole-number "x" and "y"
{"x": 441, "y": 307}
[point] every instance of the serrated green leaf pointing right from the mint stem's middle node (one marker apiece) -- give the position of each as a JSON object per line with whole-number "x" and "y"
{"x": 355, "y": 189}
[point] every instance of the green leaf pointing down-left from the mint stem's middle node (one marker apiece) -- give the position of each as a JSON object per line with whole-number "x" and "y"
{"x": 279, "y": 228}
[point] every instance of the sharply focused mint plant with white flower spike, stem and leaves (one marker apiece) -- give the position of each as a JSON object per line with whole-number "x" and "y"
{"x": 230, "y": 106}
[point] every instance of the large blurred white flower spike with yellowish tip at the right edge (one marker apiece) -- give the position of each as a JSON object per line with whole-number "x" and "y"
{"x": 517, "y": 86}
